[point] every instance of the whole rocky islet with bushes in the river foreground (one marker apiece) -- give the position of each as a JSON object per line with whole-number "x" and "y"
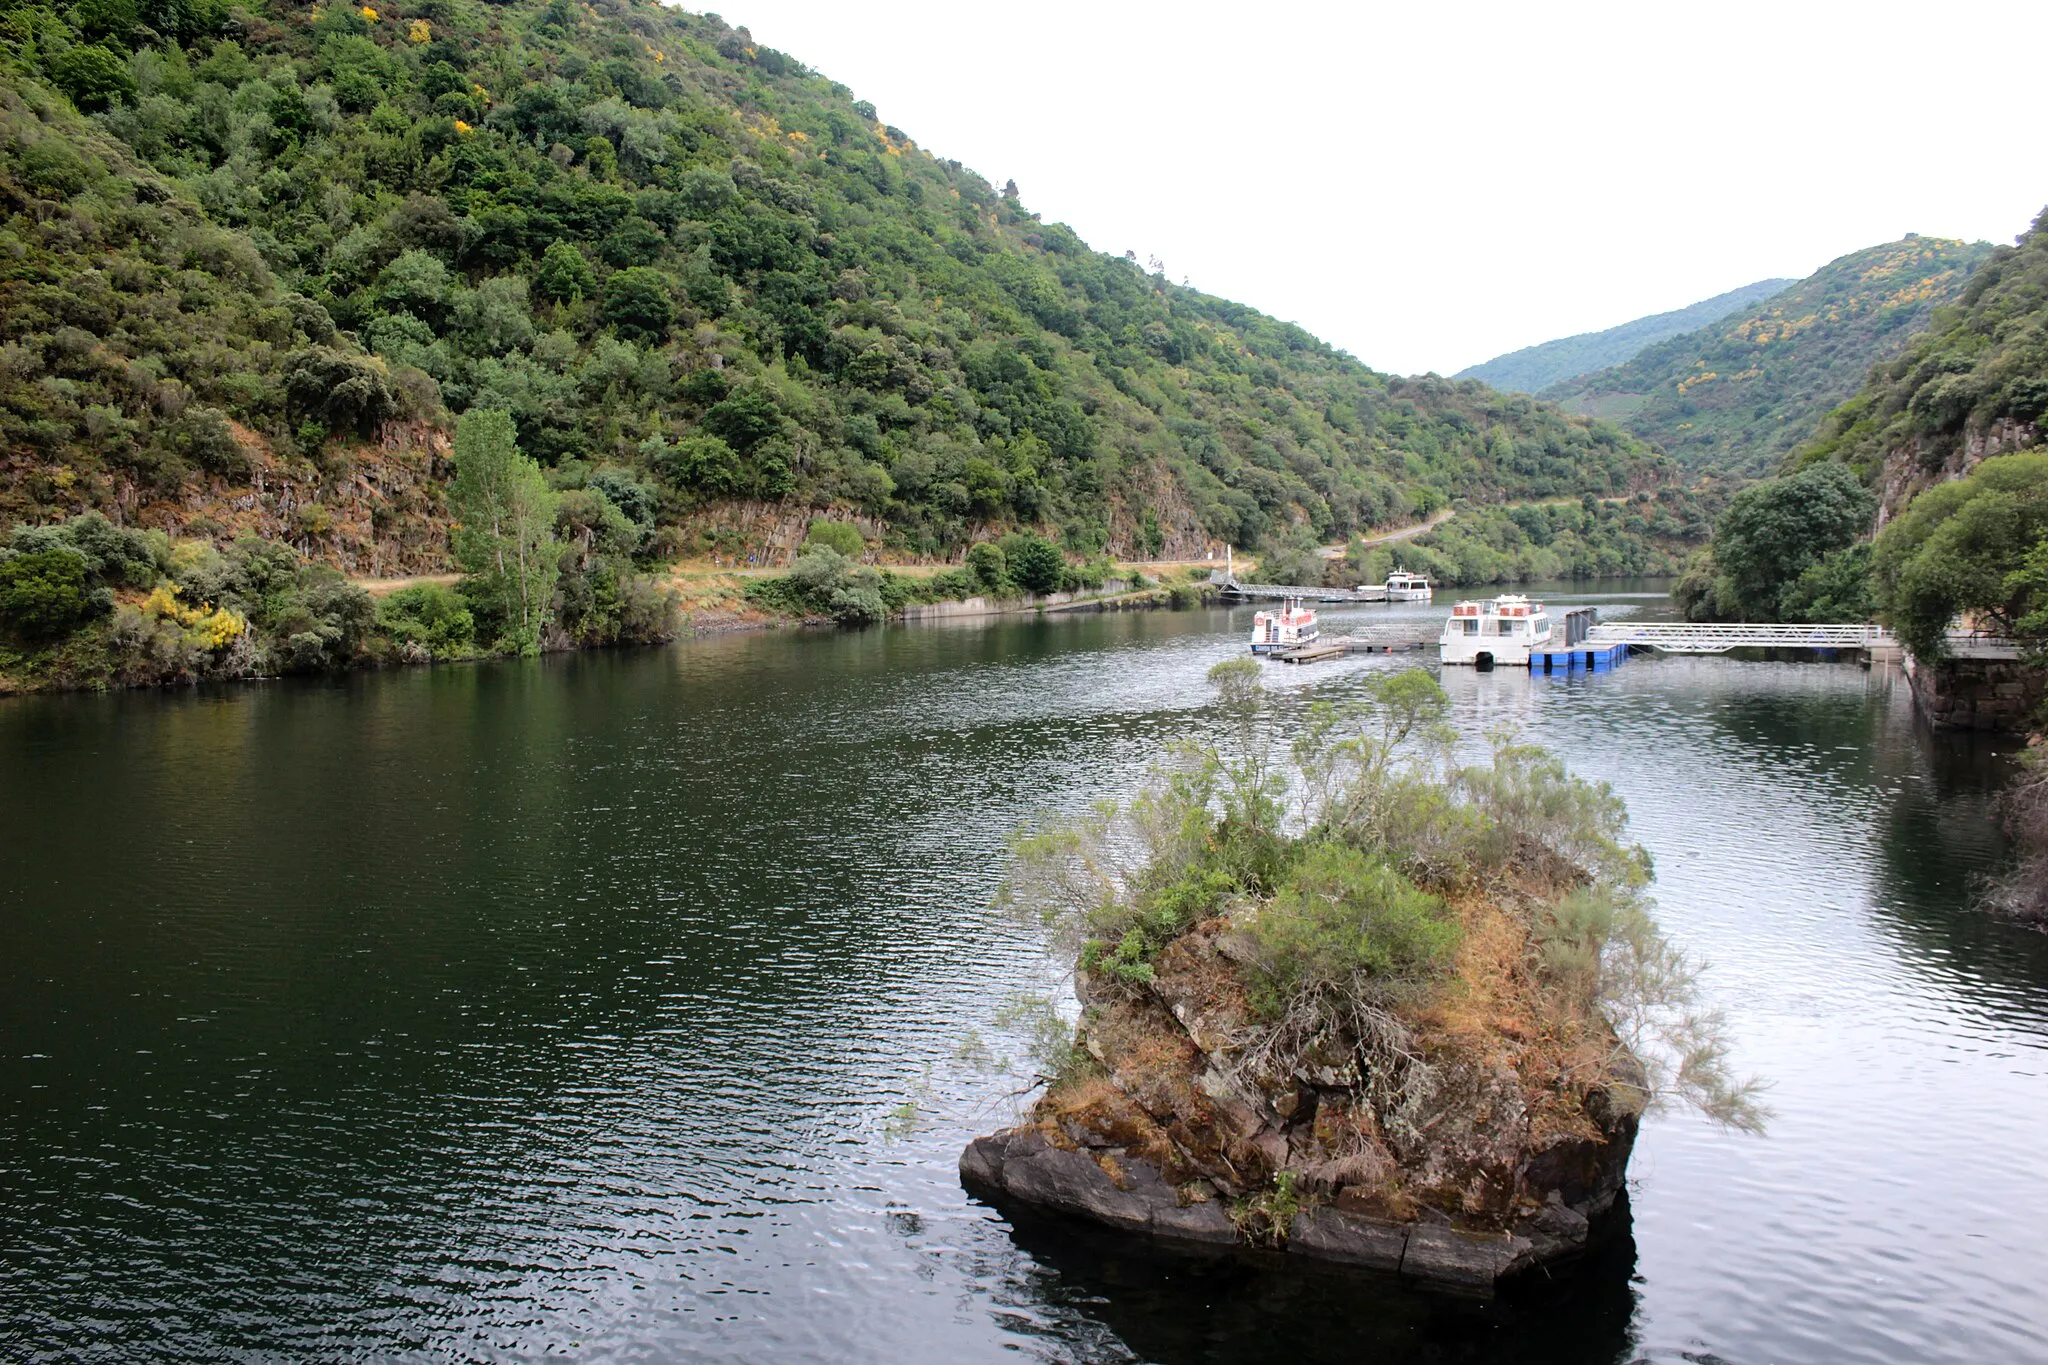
{"x": 1383, "y": 1010}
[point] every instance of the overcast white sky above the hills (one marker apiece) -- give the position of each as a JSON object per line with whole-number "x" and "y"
{"x": 1428, "y": 185}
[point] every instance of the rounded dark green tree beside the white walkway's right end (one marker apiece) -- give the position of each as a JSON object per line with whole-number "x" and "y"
{"x": 1779, "y": 529}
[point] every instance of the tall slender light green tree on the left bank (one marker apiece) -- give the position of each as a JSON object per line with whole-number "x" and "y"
{"x": 505, "y": 537}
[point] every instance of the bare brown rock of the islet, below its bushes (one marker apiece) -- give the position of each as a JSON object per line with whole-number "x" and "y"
{"x": 1474, "y": 1139}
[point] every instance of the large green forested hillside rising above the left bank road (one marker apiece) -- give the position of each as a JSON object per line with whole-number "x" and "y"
{"x": 284, "y": 247}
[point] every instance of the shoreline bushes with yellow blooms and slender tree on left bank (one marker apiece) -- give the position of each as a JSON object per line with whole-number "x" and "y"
{"x": 89, "y": 603}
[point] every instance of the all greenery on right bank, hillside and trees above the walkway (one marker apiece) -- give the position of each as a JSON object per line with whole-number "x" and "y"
{"x": 1963, "y": 537}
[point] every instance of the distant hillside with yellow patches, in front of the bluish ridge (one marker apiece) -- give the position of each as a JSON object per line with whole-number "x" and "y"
{"x": 1738, "y": 396}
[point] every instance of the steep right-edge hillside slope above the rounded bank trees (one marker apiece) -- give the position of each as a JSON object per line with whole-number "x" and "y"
{"x": 1975, "y": 384}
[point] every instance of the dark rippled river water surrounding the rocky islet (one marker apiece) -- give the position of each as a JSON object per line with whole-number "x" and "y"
{"x": 636, "y": 1006}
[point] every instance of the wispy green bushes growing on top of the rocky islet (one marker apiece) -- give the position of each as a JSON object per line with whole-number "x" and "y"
{"x": 1342, "y": 869}
